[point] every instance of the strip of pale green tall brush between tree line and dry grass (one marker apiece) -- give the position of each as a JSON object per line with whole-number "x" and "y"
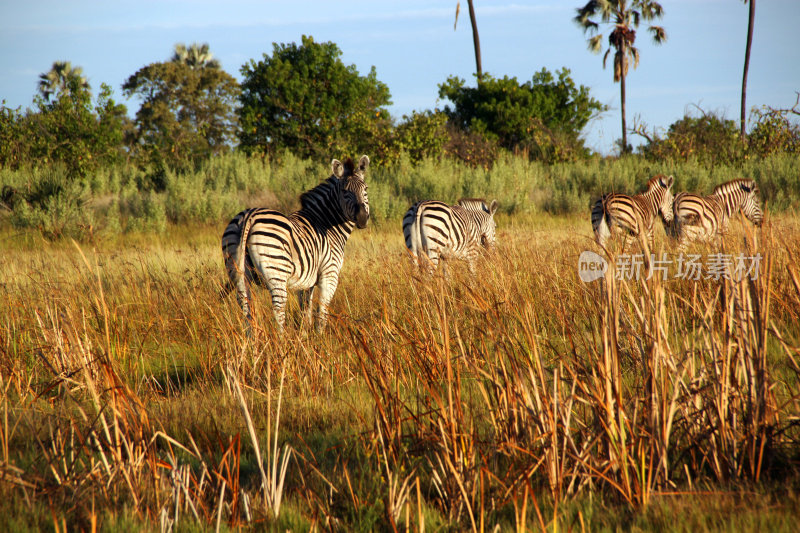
{"x": 128, "y": 201}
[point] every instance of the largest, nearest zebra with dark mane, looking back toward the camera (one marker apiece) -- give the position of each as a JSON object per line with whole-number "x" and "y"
{"x": 303, "y": 250}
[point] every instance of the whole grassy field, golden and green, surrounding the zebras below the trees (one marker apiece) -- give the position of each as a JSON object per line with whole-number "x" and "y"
{"x": 520, "y": 398}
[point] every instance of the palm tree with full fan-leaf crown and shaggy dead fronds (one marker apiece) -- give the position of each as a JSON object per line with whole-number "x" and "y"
{"x": 625, "y": 17}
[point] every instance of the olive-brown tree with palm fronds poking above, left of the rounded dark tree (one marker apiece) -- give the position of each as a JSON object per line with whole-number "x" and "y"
{"x": 187, "y": 112}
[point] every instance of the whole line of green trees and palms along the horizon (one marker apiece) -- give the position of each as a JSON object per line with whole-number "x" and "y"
{"x": 304, "y": 99}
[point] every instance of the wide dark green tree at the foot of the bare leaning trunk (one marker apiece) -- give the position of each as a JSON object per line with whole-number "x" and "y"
{"x": 544, "y": 116}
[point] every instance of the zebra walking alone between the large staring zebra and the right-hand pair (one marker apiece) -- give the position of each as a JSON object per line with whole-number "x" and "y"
{"x": 434, "y": 229}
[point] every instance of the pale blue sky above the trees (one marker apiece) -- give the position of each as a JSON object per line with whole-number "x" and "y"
{"x": 414, "y": 47}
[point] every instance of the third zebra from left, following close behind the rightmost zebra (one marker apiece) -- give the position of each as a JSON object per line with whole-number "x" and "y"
{"x": 633, "y": 215}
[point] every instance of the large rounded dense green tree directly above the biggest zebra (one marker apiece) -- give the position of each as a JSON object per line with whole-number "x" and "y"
{"x": 305, "y": 99}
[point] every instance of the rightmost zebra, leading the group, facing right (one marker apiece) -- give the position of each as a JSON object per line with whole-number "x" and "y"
{"x": 703, "y": 217}
